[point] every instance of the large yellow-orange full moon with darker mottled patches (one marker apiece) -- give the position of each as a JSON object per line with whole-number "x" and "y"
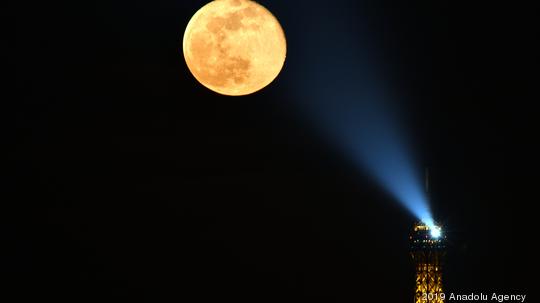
{"x": 234, "y": 47}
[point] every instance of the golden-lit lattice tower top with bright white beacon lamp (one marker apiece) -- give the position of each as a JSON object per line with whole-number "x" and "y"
{"x": 427, "y": 251}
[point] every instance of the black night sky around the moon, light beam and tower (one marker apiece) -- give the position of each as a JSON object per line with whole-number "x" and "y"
{"x": 133, "y": 181}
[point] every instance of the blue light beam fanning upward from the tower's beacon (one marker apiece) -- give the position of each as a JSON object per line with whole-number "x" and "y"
{"x": 348, "y": 101}
